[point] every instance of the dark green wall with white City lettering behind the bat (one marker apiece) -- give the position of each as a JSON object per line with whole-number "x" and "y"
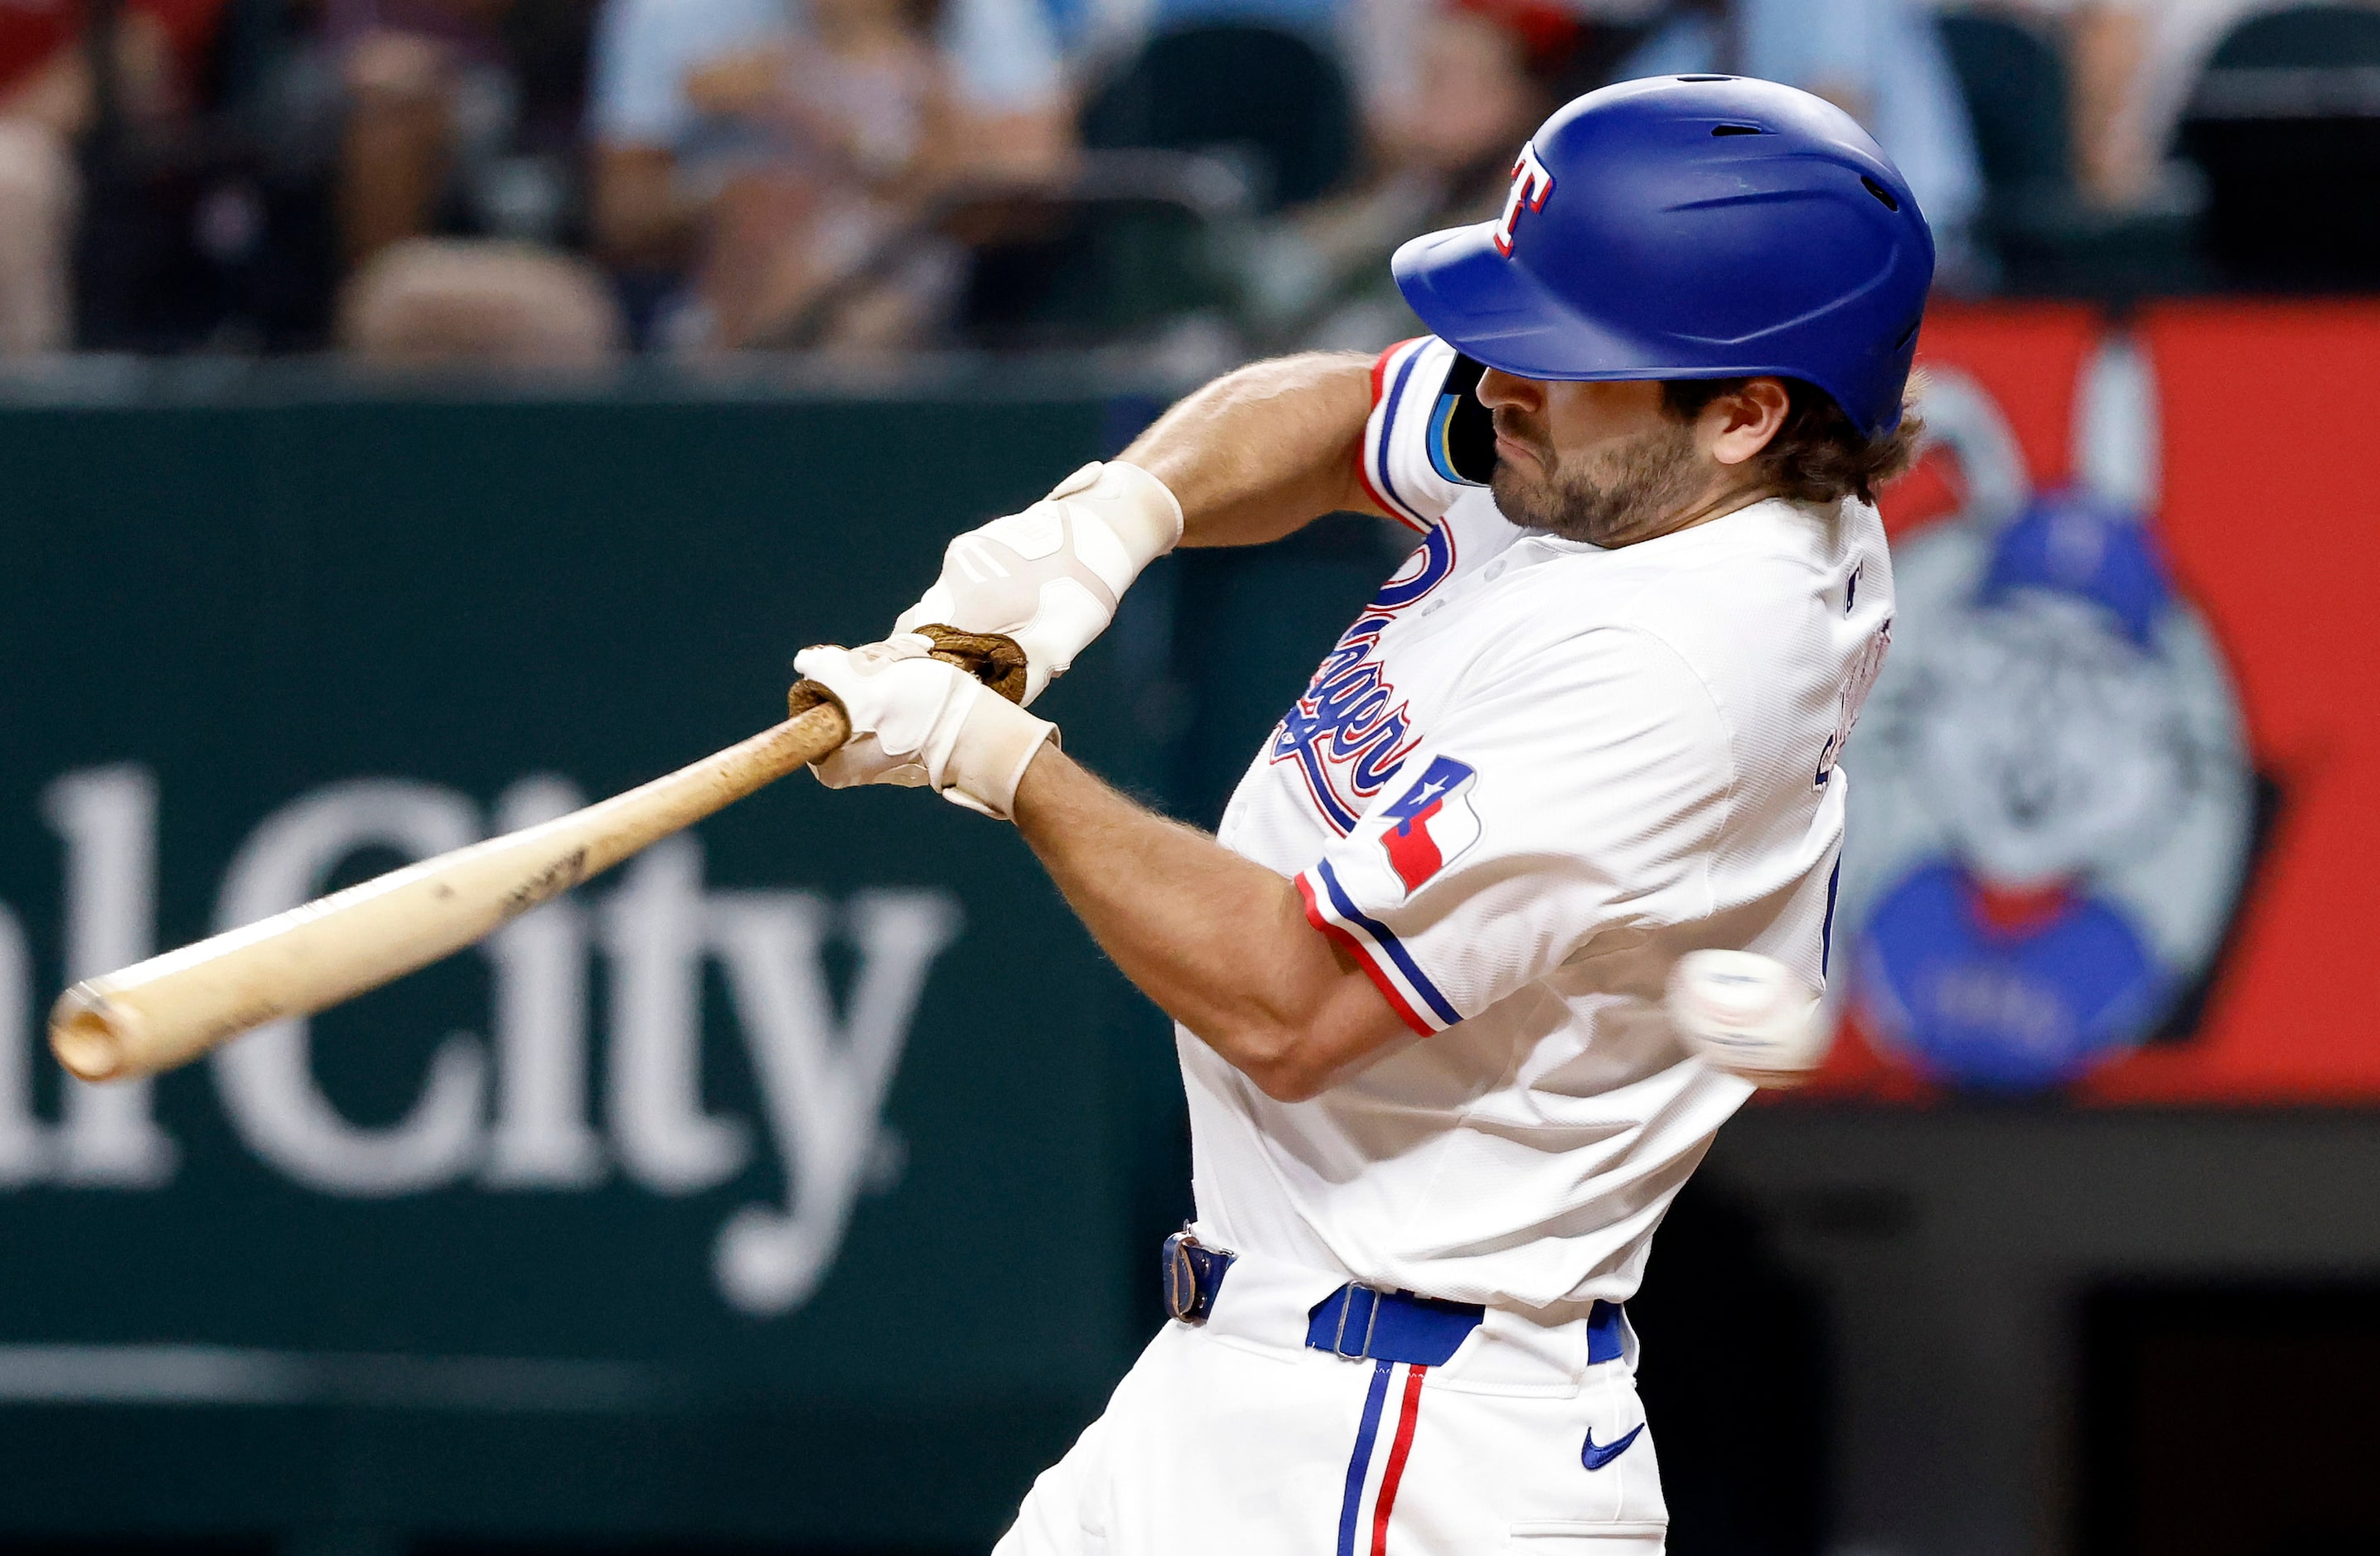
{"x": 784, "y": 1186}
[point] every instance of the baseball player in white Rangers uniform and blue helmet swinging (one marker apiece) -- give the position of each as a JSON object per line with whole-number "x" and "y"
{"x": 1589, "y": 727}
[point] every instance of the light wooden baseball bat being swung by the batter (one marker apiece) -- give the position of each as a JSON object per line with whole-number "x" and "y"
{"x": 175, "y": 1008}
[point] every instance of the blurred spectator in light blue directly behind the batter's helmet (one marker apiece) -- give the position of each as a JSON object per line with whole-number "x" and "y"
{"x": 1881, "y": 61}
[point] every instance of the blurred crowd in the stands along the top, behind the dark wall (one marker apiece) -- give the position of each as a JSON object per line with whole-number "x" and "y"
{"x": 563, "y": 182}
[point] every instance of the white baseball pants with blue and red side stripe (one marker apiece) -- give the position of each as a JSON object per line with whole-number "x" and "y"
{"x": 1241, "y": 1441}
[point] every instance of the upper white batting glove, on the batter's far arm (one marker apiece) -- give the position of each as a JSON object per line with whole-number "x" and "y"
{"x": 1053, "y": 575}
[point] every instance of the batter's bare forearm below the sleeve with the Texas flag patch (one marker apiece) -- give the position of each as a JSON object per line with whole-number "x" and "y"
{"x": 1217, "y": 941}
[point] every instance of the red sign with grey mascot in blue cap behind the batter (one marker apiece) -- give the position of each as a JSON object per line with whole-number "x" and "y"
{"x": 2105, "y": 827}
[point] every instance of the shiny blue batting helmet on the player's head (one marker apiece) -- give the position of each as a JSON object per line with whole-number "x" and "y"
{"x": 1691, "y": 227}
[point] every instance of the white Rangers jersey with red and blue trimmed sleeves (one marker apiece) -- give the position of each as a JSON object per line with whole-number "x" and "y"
{"x": 1520, "y": 789}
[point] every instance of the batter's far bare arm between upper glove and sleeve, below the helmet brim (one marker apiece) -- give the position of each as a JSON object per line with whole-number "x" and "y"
{"x": 1265, "y": 451}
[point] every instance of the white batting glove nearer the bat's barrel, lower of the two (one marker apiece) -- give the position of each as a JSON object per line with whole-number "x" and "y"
{"x": 922, "y": 722}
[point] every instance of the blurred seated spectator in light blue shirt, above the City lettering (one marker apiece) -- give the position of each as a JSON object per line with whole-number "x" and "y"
{"x": 765, "y": 153}
